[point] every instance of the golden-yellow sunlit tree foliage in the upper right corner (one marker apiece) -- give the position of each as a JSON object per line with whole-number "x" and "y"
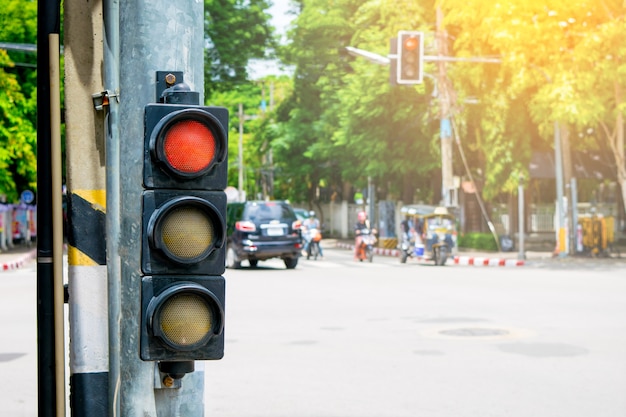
{"x": 565, "y": 58}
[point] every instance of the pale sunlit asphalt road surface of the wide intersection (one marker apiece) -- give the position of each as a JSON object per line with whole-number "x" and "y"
{"x": 338, "y": 338}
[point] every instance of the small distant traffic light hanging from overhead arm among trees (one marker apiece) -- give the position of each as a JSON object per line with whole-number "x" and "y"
{"x": 410, "y": 54}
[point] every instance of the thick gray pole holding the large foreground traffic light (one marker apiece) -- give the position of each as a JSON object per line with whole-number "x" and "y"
{"x": 155, "y": 35}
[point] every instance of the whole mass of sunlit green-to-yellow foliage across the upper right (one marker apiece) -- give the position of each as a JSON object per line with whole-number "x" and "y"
{"x": 341, "y": 122}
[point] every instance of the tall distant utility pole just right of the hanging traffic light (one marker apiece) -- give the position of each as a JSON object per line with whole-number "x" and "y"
{"x": 445, "y": 104}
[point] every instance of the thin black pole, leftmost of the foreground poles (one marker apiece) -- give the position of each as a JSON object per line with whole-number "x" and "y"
{"x": 51, "y": 392}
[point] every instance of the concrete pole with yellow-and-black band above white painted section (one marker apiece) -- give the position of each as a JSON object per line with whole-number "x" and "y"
{"x": 87, "y": 271}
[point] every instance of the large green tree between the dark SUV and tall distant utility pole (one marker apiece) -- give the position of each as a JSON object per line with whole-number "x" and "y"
{"x": 343, "y": 122}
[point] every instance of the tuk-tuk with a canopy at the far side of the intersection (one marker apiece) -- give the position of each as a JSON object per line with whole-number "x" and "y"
{"x": 427, "y": 232}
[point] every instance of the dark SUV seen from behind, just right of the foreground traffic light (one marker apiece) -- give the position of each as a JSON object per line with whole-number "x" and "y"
{"x": 260, "y": 230}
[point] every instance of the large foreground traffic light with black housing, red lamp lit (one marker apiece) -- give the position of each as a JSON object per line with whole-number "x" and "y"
{"x": 183, "y": 233}
